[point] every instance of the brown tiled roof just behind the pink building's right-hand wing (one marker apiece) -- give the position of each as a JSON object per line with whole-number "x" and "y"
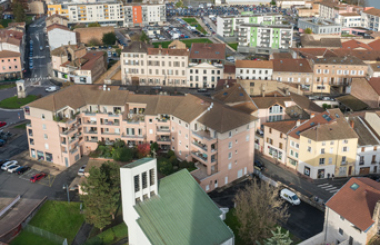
{"x": 233, "y": 94}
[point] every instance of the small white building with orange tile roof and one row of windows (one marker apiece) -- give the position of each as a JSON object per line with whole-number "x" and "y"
{"x": 254, "y": 69}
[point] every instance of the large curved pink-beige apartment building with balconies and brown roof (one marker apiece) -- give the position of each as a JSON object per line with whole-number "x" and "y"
{"x": 68, "y": 124}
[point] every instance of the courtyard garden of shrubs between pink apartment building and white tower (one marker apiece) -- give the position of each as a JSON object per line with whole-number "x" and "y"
{"x": 167, "y": 162}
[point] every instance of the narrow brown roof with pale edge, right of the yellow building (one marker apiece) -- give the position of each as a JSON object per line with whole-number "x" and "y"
{"x": 366, "y": 136}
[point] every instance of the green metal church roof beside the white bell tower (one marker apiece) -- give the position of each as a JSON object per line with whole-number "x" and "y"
{"x": 182, "y": 213}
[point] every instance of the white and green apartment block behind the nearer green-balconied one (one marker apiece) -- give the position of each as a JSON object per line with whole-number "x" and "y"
{"x": 228, "y": 26}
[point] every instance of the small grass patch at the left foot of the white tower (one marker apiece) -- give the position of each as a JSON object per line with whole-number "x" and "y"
{"x": 110, "y": 235}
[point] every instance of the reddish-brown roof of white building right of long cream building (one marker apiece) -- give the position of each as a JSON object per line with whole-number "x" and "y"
{"x": 213, "y": 51}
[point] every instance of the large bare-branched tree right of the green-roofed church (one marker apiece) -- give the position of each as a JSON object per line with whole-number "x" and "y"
{"x": 258, "y": 210}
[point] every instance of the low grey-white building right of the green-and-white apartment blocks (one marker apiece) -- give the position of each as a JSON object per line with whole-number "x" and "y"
{"x": 320, "y": 26}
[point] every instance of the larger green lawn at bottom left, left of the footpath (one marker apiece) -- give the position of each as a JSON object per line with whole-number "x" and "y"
{"x": 60, "y": 218}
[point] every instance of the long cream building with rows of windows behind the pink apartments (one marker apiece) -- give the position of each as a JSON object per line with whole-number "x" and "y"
{"x": 144, "y": 65}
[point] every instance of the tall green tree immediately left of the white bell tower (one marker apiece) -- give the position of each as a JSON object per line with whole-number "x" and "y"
{"x": 95, "y": 202}
